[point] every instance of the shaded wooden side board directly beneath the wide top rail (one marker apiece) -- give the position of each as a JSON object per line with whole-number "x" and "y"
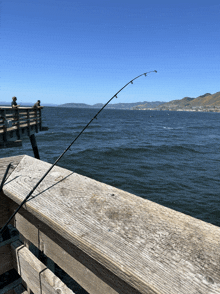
{"x": 70, "y": 264}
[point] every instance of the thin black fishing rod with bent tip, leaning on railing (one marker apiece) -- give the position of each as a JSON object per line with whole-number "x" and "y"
{"x": 47, "y": 172}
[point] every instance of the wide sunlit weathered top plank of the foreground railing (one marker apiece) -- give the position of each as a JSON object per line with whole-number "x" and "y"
{"x": 150, "y": 247}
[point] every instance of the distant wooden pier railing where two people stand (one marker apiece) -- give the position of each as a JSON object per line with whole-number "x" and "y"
{"x": 18, "y": 122}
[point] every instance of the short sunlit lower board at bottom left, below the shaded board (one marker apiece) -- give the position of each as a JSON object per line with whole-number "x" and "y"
{"x": 35, "y": 274}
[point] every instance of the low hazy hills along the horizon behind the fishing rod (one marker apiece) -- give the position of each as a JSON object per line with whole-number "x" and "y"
{"x": 112, "y": 106}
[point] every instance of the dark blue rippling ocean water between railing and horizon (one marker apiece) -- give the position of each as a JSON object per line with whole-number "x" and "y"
{"x": 172, "y": 158}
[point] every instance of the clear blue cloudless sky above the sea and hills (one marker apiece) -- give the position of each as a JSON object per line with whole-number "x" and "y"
{"x": 84, "y": 51}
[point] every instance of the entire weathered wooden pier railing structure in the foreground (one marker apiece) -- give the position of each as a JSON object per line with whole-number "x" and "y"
{"x": 107, "y": 240}
